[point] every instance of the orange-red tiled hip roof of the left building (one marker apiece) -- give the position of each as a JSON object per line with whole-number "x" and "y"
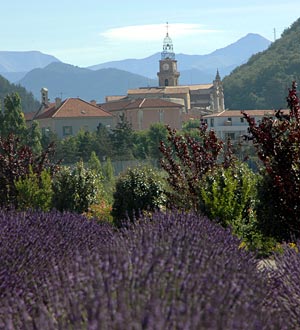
{"x": 70, "y": 108}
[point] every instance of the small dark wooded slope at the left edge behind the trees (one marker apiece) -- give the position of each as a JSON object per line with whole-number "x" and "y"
{"x": 29, "y": 103}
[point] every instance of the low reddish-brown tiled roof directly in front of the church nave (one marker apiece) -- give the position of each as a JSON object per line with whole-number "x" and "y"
{"x": 142, "y": 103}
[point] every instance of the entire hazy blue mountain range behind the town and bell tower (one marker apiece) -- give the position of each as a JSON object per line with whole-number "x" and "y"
{"x": 115, "y": 78}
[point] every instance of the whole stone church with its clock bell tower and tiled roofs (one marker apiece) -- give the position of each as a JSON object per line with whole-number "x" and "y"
{"x": 168, "y": 103}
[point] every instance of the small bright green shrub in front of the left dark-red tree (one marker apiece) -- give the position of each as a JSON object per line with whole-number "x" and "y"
{"x": 35, "y": 192}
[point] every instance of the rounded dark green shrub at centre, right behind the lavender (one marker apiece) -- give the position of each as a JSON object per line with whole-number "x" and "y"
{"x": 137, "y": 190}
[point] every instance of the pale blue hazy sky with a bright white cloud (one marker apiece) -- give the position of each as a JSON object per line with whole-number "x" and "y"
{"x": 88, "y": 32}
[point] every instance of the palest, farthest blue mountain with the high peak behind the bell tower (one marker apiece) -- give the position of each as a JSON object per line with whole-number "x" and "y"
{"x": 198, "y": 68}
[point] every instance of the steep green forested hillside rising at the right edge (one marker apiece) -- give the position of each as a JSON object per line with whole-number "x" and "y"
{"x": 263, "y": 81}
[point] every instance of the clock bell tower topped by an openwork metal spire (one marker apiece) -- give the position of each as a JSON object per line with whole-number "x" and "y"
{"x": 168, "y": 74}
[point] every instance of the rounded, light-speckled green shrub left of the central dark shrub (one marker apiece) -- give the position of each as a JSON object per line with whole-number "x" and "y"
{"x": 75, "y": 190}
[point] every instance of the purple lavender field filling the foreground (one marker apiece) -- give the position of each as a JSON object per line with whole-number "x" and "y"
{"x": 173, "y": 271}
